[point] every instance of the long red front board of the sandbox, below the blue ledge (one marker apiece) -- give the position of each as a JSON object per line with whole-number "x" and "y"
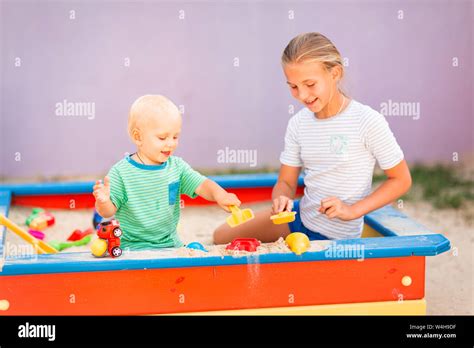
{"x": 214, "y": 288}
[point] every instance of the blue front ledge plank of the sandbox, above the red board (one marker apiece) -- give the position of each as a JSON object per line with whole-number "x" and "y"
{"x": 424, "y": 245}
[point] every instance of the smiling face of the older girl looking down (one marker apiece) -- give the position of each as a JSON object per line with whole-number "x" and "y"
{"x": 312, "y": 84}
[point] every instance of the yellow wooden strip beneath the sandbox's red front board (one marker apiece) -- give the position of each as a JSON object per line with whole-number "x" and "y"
{"x": 409, "y": 307}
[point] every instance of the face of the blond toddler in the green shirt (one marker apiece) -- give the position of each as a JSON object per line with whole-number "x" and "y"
{"x": 159, "y": 136}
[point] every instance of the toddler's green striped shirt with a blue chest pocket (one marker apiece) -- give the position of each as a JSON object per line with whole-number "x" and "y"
{"x": 147, "y": 198}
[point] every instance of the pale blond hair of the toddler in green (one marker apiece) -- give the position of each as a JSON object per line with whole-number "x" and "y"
{"x": 144, "y": 105}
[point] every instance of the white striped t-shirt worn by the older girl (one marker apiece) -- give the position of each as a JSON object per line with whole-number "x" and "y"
{"x": 338, "y": 156}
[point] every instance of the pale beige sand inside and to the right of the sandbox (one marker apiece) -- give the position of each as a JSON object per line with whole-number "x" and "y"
{"x": 449, "y": 282}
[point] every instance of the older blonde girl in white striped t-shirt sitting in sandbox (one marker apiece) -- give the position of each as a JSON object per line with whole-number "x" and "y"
{"x": 336, "y": 141}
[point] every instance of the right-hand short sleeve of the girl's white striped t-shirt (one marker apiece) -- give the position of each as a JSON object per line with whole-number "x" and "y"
{"x": 381, "y": 142}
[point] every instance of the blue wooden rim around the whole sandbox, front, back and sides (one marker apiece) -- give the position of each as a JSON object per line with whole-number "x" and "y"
{"x": 404, "y": 237}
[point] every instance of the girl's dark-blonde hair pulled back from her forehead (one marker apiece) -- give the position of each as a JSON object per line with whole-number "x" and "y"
{"x": 312, "y": 47}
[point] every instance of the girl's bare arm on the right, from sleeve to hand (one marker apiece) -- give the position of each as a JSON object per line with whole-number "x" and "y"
{"x": 398, "y": 183}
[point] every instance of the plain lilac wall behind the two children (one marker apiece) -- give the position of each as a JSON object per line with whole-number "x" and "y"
{"x": 191, "y": 61}
